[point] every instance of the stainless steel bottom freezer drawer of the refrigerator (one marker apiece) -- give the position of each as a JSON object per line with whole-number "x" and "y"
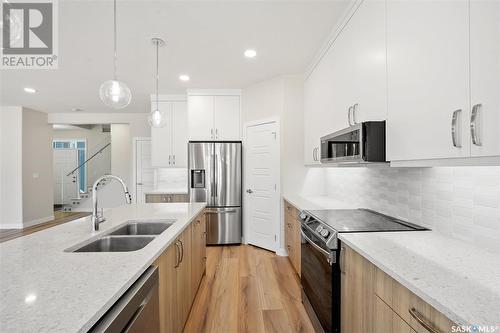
{"x": 223, "y": 225}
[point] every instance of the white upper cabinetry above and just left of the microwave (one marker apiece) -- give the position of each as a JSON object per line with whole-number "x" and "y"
{"x": 352, "y": 71}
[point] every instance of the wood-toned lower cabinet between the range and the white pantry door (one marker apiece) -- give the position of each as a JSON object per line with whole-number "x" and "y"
{"x": 292, "y": 235}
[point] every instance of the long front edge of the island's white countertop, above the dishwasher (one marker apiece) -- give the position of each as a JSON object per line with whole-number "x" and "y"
{"x": 99, "y": 313}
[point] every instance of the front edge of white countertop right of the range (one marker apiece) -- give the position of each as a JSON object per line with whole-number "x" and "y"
{"x": 407, "y": 284}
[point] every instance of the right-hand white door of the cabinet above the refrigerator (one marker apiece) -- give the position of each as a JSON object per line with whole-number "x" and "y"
{"x": 227, "y": 118}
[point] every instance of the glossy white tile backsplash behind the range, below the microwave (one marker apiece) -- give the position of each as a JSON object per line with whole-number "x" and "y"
{"x": 462, "y": 202}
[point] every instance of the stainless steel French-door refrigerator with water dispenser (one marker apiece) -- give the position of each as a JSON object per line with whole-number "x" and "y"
{"x": 215, "y": 178}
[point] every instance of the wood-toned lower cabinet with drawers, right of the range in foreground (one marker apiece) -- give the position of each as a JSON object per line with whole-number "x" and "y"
{"x": 374, "y": 302}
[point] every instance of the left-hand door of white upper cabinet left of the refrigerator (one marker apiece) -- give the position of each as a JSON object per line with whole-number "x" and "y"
{"x": 161, "y": 138}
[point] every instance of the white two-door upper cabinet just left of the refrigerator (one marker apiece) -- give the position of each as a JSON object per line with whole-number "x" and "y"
{"x": 169, "y": 143}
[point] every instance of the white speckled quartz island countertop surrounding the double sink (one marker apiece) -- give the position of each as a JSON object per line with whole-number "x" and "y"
{"x": 45, "y": 289}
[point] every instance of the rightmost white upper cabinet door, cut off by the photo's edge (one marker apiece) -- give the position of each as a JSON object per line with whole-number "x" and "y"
{"x": 485, "y": 74}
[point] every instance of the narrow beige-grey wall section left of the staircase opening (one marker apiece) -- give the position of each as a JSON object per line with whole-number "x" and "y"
{"x": 37, "y": 184}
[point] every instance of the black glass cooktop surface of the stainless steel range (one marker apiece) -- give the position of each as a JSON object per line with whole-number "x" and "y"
{"x": 361, "y": 220}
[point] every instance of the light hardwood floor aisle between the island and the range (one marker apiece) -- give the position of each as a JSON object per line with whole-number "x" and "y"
{"x": 247, "y": 289}
